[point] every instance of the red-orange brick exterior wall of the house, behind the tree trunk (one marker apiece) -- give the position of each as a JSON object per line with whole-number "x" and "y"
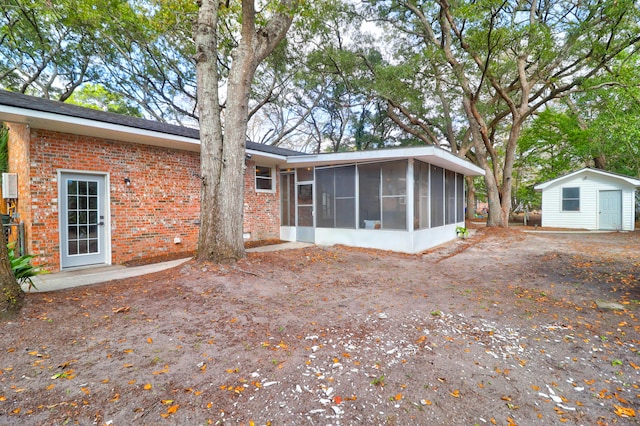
{"x": 162, "y": 202}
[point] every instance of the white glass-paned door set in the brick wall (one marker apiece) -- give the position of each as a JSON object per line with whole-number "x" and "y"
{"x": 82, "y": 210}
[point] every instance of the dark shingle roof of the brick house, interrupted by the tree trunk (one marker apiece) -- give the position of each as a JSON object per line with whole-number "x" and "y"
{"x": 19, "y": 100}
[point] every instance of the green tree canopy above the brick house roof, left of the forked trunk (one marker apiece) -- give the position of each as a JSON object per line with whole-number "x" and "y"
{"x": 141, "y": 51}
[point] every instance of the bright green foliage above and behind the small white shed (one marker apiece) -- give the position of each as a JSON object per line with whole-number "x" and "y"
{"x": 599, "y": 126}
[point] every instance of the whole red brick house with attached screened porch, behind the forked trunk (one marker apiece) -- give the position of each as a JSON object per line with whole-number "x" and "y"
{"x": 99, "y": 188}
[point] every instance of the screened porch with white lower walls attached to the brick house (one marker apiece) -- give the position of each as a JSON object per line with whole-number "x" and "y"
{"x": 406, "y": 205}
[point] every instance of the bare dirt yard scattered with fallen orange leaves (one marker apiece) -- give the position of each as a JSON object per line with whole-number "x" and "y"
{"x": 501, "y": 328}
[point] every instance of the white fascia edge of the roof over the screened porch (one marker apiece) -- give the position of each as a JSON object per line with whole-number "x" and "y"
{"x": 428, "y": 154}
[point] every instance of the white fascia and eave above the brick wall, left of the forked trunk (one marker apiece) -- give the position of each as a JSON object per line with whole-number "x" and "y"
{"x": 82, "y": 126}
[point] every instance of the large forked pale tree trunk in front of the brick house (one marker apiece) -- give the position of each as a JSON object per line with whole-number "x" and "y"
{"x": 222, "y": 156}
